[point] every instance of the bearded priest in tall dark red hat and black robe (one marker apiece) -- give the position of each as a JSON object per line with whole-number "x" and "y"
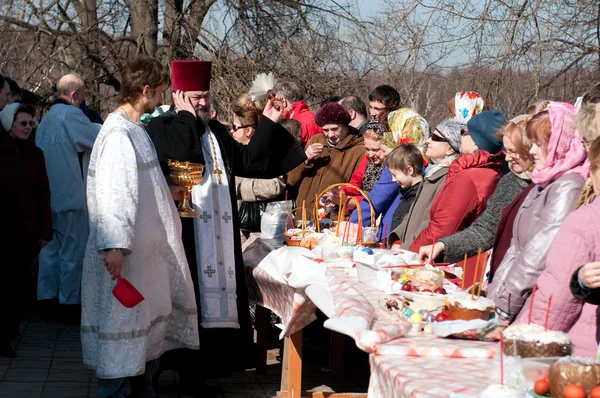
{"x": 212, "y": 241}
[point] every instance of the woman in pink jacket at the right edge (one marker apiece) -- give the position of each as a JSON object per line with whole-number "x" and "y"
{"x": 574, "y": 251}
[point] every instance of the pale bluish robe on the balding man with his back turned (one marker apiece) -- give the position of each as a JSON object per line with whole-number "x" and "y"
{"x": 64, "y": 132}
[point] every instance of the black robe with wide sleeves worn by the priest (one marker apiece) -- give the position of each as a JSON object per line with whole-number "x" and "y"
{"x": 272, "y": 152}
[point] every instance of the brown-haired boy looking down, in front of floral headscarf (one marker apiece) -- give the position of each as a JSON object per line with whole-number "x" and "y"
{"x": 406, "y": 166}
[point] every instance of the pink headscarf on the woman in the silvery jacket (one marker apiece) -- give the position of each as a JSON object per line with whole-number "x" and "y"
{"x": 565, "y": 152}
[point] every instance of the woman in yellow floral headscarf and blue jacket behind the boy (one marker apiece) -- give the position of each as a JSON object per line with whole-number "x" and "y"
{"x": 406, "y": 127}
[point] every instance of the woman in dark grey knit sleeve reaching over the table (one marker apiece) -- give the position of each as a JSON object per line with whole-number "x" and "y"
{"x": 480, "y": 235}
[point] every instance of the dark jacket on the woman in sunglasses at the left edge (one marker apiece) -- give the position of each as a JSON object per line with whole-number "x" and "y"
{"x": 25, "y": 215}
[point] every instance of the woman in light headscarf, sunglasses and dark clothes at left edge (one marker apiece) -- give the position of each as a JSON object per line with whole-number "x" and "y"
{"x": 25, "y": 215}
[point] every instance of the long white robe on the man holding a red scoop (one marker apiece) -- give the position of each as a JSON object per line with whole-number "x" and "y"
{"x": 131, "y": 207}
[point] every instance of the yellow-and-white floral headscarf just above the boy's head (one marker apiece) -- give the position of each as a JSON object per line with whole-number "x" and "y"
{"x": 406, "y": 127}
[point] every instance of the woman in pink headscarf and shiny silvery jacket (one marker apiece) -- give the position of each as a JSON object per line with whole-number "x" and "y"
{"x": 559, "y": 174}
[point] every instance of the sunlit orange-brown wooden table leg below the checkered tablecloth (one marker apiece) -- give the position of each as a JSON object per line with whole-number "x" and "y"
{"x": 291, "y": 373}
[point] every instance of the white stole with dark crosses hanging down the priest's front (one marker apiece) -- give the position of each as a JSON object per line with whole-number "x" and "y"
{"x": 214, "y": 241}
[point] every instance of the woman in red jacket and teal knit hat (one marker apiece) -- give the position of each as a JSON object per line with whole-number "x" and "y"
{"x": 472, "y": 178}
